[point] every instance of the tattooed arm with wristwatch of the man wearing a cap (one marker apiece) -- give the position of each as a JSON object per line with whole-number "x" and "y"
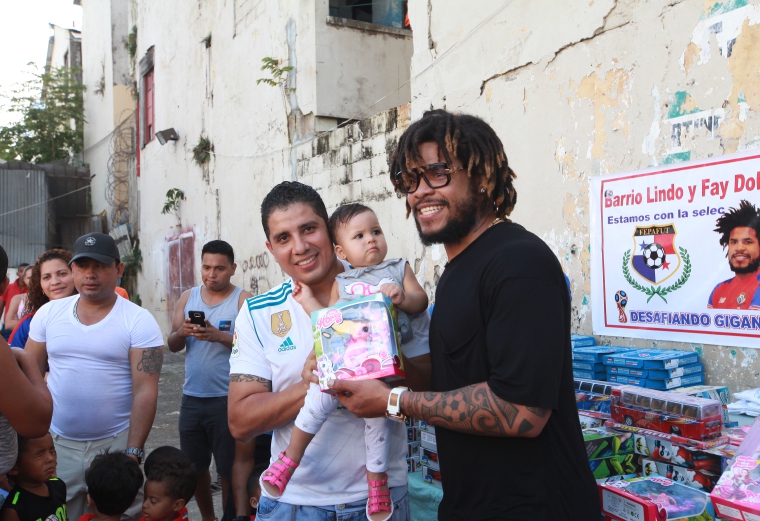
{"x": 146, "y": 368}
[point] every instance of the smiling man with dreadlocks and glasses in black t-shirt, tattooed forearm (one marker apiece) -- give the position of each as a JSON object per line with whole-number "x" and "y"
{"x": 502, "y": 399}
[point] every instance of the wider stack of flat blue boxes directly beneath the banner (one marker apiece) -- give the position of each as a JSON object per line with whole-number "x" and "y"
{"x": 654, "y": 368}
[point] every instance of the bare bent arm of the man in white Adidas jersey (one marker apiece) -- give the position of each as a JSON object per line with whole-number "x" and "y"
{"x": 254, "y": 409}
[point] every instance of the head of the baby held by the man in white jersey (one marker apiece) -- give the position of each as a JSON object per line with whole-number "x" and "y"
{"x": 357, "y": 235}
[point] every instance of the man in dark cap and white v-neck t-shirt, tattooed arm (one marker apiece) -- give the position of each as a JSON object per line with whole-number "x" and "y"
{"x": 105, "y": 355}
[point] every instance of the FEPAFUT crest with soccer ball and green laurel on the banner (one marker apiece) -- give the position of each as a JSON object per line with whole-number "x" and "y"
{"x": 655, "y": 258}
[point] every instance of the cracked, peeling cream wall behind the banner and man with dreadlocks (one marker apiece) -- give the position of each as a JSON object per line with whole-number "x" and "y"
{"x": 595, "y": 88}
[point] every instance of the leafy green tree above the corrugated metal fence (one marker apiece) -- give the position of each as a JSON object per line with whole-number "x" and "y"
{"x": 52, "y": 118}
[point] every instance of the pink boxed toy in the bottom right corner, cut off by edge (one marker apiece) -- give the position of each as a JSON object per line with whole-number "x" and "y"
{"x": 737, "y": 494}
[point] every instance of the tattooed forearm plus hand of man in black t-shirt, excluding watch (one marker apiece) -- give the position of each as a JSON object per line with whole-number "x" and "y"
{"x": 474, "y": 409}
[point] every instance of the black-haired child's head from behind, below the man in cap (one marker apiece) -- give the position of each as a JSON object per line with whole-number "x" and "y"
{"x": 113, "y": 481}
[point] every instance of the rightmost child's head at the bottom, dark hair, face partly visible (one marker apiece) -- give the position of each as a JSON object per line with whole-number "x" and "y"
{"x": 170, "y": 483}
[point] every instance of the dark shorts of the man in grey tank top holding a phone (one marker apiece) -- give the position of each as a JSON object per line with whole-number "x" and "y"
{"x": 203, "y": 431}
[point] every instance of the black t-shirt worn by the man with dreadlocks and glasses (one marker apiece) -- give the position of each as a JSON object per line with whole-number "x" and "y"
{"x": 502, "y": 316}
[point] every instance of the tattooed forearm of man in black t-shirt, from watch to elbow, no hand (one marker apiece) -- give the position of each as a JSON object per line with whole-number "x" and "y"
{"x": 474, "y": 409}
